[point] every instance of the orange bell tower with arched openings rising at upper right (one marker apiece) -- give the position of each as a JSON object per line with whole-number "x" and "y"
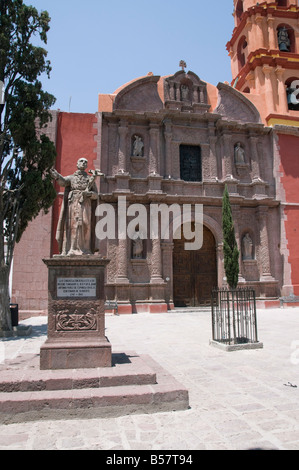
{"x": 264, "y": 52}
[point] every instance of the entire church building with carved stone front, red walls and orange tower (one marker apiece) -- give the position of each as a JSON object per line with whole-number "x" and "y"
{"x": 177, "y": 141}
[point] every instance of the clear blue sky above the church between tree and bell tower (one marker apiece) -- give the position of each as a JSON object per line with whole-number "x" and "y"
{"x": 96, "y": 46}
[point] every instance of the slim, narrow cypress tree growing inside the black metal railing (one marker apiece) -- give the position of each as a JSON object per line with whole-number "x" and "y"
{"x": 230, "y": 248}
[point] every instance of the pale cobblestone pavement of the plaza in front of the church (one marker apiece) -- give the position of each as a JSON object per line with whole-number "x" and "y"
{"x": 238, "y": 400}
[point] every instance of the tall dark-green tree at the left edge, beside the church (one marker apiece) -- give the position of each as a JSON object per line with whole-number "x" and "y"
{"x": 26, "y": 153}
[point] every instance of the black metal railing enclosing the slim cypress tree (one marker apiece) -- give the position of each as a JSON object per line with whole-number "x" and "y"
{"x": 234, "y": 316}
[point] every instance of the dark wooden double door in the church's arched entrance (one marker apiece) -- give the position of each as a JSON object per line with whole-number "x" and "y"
{"x": 194, "y": 272}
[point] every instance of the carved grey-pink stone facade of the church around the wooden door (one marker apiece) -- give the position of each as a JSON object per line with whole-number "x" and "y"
{"x": 174, "y": 141}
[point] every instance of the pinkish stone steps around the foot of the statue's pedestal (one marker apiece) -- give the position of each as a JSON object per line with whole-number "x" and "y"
{"x": 82, "y": 393}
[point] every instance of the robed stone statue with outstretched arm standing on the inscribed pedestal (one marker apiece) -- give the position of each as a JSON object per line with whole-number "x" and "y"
{"x": 74, "y": 226}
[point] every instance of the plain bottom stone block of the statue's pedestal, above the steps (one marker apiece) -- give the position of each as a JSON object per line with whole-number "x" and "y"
{"x": 75, "y": 355}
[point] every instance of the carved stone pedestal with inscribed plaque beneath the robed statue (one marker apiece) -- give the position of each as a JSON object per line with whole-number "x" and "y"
{"x": 76, "y": 314}
